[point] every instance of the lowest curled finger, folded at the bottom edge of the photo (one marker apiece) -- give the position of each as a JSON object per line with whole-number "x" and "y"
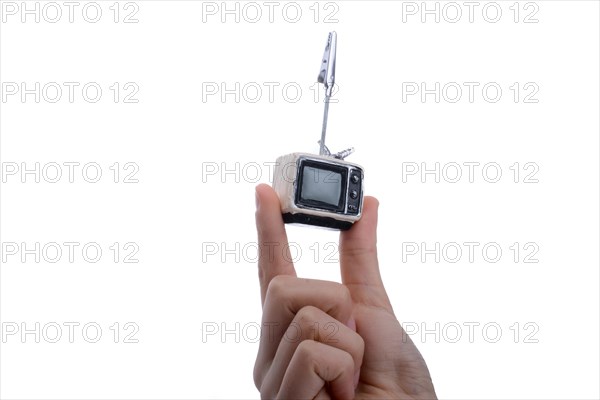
{"x": 313, "y": 366}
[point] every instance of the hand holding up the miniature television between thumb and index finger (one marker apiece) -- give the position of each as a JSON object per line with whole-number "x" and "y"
{"x": 323, "y": 340}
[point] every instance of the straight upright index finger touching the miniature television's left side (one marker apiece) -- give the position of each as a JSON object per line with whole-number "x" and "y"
{"x": 274, "y": 258}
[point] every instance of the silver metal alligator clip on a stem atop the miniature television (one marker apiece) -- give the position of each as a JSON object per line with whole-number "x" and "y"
{"x": 327, "y": 78}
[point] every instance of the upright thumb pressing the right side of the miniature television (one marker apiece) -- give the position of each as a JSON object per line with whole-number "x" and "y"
{"x": 358, "y": 258}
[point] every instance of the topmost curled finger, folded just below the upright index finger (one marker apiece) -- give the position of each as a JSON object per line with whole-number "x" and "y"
{"x": 285, "y": 297}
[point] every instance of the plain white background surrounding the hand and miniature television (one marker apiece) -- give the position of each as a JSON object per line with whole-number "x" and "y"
{"x": 181, "y": 218}
